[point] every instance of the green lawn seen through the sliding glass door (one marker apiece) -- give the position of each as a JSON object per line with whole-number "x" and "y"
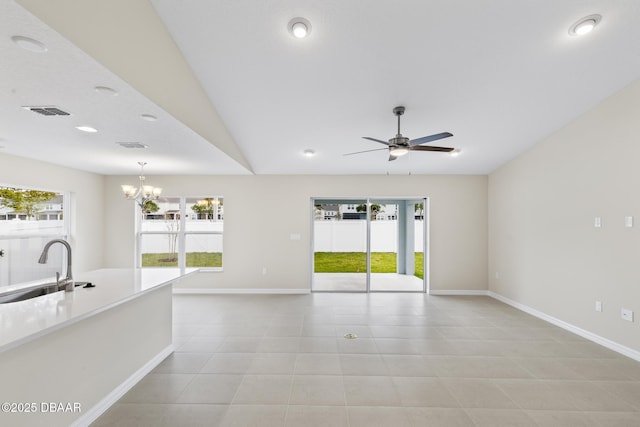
{"x": 356, "y": 262}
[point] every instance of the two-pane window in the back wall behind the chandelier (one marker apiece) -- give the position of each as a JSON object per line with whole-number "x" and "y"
{"x": 182, "y": 232}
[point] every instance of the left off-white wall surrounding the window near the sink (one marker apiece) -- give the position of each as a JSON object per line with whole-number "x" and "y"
{"x": 87, "y": 204}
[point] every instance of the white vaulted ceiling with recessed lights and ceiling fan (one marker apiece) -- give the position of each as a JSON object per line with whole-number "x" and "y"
{"x": 235, "y": 93}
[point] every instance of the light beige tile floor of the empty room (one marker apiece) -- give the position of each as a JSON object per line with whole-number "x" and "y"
{"x": 419, "y": 360}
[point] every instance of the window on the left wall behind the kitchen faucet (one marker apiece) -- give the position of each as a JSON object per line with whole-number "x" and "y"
{"x": 29, "y": 218}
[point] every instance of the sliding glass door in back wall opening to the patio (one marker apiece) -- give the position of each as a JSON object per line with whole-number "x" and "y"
{"x": 369, "y": 245}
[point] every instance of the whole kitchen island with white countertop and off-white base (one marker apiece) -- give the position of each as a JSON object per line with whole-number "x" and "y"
{"x": 67, "y": 356}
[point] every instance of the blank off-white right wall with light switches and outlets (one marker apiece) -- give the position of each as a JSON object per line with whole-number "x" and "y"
{"x": 544, "y": 251}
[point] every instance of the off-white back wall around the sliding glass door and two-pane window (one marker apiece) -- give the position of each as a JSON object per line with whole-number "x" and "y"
{"x": 261, "y": 212}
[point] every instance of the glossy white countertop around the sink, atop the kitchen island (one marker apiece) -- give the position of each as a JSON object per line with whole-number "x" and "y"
{"x": 24, "y": 321}
